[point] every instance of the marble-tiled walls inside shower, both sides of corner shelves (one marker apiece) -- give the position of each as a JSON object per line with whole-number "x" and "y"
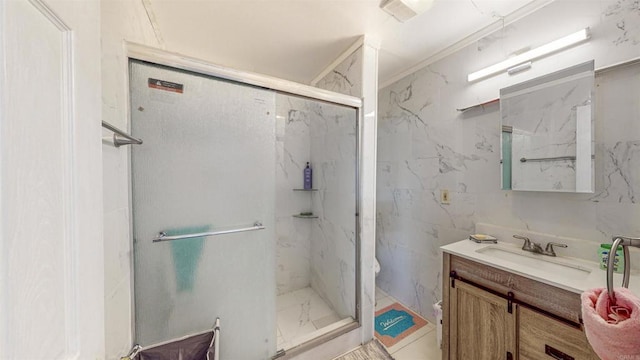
{"x": 320, "y": 251}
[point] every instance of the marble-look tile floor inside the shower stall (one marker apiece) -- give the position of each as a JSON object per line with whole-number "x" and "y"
{"x": 303, "y": 315}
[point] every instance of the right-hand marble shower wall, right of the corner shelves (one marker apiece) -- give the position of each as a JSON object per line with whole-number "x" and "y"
{"x": 333, "y": 234}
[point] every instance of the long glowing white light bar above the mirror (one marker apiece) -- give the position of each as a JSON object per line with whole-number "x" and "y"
{"x": 533, "y": 54}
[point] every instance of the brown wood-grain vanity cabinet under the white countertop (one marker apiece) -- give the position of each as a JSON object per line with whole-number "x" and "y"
{"x": 491, "y": 314}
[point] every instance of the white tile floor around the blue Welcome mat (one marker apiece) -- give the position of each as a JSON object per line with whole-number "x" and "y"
{"x": 421, "y": 345}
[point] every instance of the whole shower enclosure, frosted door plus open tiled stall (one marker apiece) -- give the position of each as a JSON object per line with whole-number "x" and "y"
{"x": 222, "y": 225}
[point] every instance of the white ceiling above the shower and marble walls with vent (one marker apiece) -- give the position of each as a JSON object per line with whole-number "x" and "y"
{"x": 297, "y": 39}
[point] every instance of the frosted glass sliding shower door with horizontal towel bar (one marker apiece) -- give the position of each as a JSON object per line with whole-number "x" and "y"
{"x": 207, "y": 164}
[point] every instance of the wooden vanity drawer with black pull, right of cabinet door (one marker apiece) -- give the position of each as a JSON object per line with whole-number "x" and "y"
{"x": 541, "y": 337}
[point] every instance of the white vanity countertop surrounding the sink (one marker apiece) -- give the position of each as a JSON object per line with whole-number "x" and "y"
{"x": 589, "y": 275}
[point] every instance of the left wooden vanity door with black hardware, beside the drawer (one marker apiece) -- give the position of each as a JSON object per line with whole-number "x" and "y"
{"x": 481, "y": 326}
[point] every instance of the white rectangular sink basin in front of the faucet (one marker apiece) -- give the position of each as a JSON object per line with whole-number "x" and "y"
{"x": 538, "y": 262}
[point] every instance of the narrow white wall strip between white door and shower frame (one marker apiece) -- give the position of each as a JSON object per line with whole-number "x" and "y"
{"x": 121, "y": 21}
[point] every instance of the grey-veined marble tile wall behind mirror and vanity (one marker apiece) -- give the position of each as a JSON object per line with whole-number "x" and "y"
{"x": 425, "y": 145}
